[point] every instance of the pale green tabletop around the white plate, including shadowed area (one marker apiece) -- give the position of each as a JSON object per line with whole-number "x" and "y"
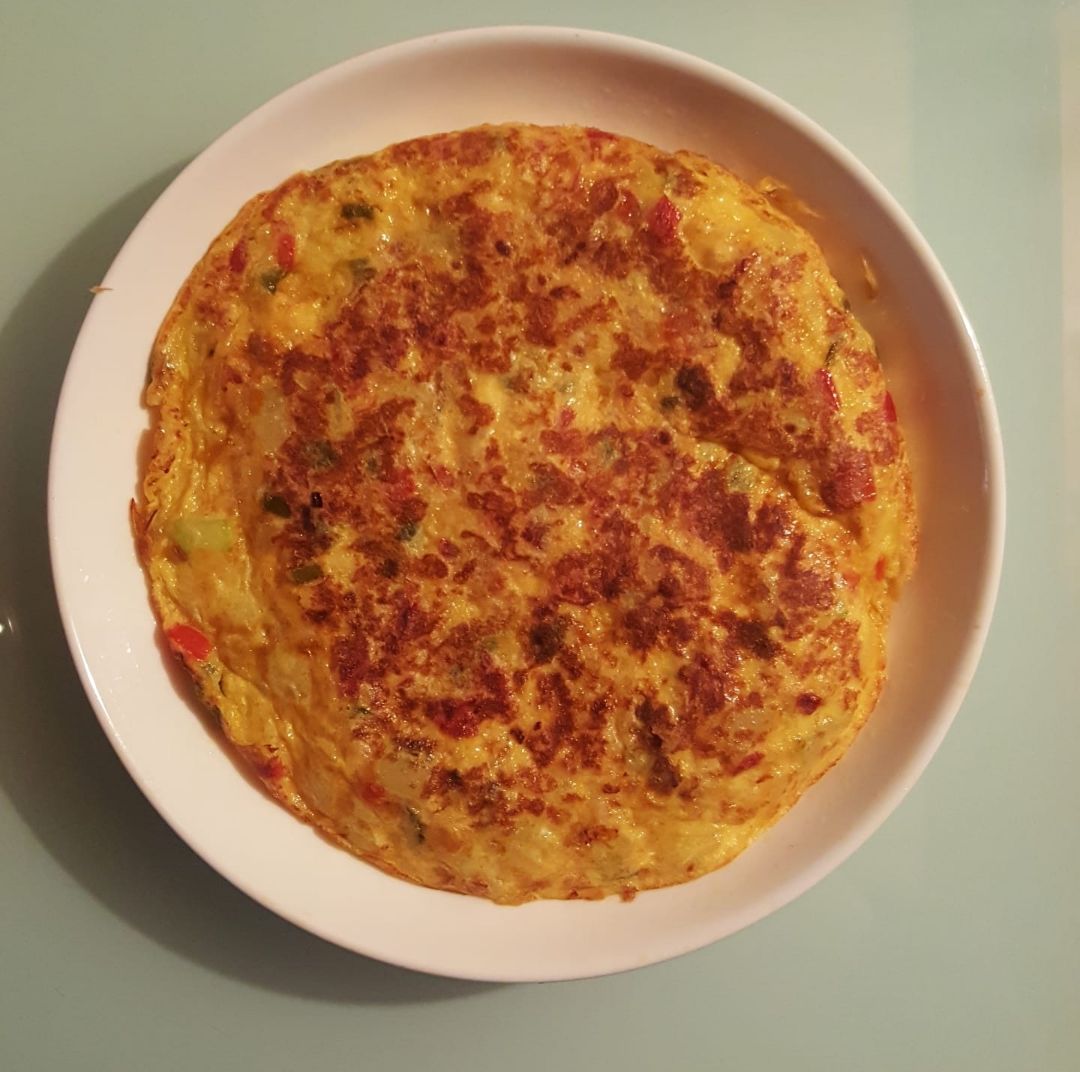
{"x": 951, "y": 941}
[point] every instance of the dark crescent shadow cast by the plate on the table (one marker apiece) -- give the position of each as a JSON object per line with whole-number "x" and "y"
{"x": 57, "y": 766}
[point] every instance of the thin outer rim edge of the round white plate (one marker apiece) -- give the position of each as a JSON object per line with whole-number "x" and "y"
{"x": 638, "y": 49}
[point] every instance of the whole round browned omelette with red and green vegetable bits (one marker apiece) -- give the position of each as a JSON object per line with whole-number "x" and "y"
{"x": 529, "y": 507}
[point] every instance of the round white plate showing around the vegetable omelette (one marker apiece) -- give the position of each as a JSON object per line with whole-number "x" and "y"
{"x": 447, "y": 83}
